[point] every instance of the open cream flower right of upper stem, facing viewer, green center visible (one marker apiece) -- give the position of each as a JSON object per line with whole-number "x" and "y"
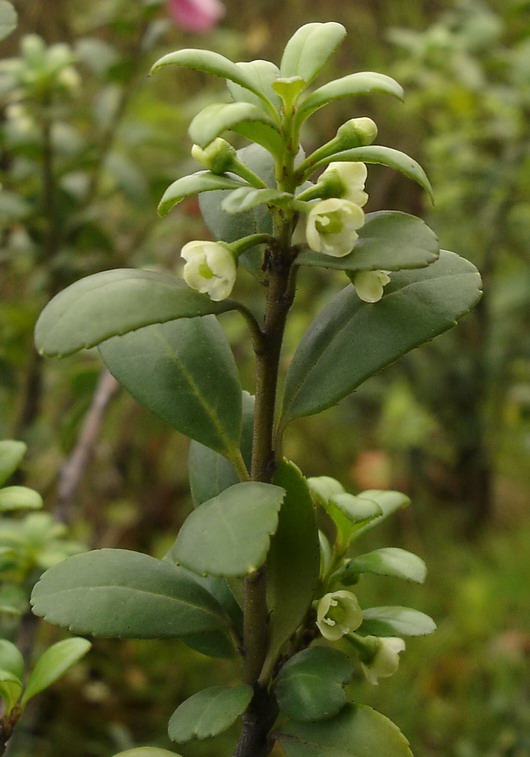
{"x": 332, "y": 226}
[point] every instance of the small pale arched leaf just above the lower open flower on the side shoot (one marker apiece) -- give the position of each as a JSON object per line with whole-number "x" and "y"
{"x": 389, "y": 561}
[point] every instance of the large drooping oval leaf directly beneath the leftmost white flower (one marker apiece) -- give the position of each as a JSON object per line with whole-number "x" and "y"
{"x": 113, "y": 303}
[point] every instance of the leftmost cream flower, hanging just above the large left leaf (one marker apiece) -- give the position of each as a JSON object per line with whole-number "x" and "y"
{"x": 210, "y": 267}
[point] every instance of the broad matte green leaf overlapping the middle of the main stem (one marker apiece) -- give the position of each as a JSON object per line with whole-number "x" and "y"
{"x": 229, "y": 535}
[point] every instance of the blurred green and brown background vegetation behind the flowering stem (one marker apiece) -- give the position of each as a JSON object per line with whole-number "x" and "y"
{"x": 82, "y": 171}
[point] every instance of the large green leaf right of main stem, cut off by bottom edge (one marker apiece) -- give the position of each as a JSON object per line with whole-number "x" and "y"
{"x": 357, "y": 731}
